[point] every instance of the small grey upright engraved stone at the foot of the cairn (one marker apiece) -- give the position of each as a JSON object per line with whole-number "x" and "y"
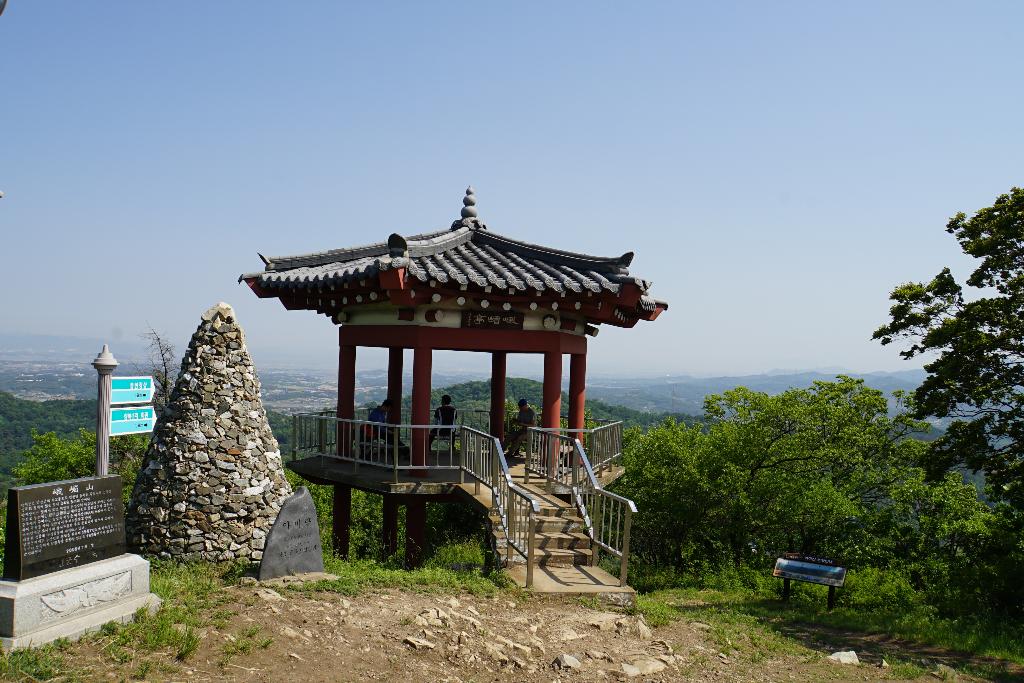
{"x": 293, "y": 546}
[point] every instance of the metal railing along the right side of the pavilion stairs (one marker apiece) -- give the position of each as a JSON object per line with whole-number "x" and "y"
{"x": 608, "y": 518}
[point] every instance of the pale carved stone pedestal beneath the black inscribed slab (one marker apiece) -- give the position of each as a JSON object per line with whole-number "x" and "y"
{"x": 70, "y": 604}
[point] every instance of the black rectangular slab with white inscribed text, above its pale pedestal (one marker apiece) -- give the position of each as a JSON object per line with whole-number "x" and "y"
{"x": 63, "y": 525}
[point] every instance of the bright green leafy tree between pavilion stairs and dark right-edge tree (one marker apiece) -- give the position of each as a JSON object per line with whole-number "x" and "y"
{"x": 806, "y": 471}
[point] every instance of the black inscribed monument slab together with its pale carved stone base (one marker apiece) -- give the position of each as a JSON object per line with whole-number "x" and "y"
{"x": 66, "y": 572}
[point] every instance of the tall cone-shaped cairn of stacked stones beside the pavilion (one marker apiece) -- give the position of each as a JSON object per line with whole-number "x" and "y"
{"x": 214, "y": 481}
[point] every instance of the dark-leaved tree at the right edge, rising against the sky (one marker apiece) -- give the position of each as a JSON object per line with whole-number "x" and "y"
{"x": 978, "y": 375}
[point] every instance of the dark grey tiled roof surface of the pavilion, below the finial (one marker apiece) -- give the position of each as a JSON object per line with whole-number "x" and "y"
{"x": 468, "y": 254}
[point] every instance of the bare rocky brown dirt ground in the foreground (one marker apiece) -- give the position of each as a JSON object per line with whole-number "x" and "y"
{"x": 281, "y": 635}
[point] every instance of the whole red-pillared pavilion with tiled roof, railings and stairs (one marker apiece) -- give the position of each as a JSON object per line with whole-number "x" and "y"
{"x": 553, "y": 524}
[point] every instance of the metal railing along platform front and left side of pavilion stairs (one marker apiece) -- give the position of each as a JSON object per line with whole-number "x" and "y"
{"x": 470, "y": 451}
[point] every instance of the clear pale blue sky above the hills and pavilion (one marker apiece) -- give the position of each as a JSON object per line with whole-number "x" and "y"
{"x": 777, "y": 167}
